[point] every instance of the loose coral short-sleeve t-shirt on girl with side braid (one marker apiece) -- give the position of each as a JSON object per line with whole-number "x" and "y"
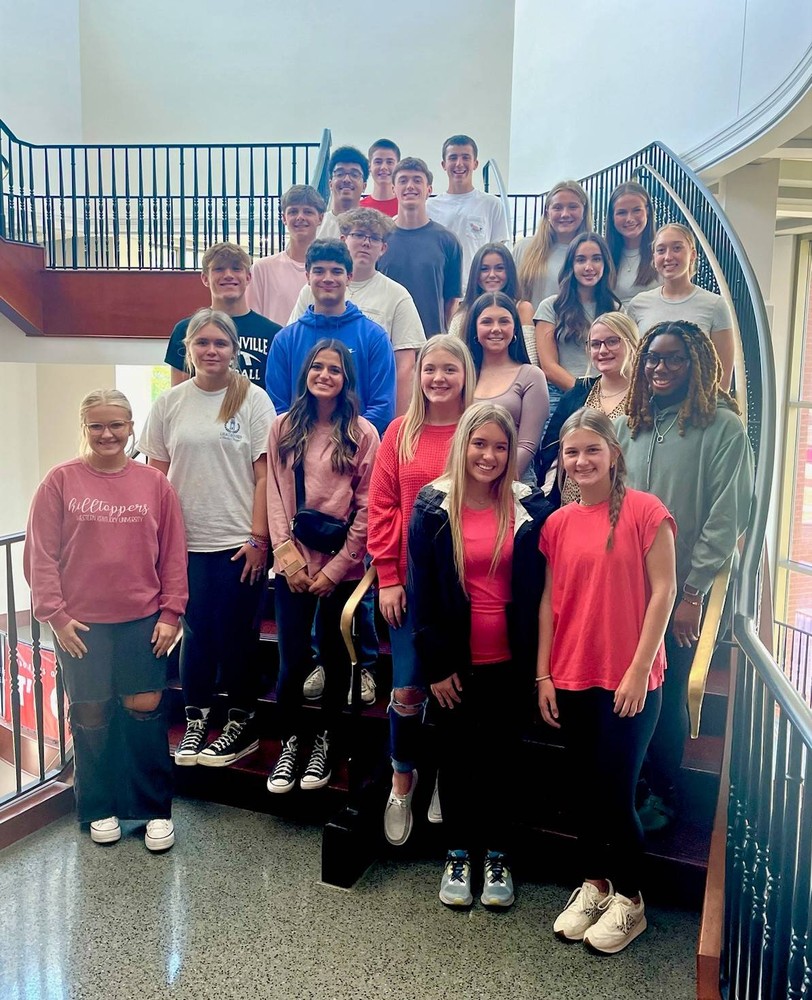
{"x": 600, "y": 598}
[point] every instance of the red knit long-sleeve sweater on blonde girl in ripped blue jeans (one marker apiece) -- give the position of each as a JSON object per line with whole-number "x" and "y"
{"x": 393, "y": 491}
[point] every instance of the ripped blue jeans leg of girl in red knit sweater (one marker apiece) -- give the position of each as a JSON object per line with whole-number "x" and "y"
{"x": 407, "y": 706}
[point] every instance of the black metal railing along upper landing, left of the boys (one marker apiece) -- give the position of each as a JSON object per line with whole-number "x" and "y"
{"x": 152, "y": 206}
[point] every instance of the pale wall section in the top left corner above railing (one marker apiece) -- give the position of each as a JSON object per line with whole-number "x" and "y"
{"x": 40, "y": 92}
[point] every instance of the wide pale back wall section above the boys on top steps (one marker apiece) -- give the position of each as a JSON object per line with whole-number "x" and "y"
{"x": 199, "y": 70}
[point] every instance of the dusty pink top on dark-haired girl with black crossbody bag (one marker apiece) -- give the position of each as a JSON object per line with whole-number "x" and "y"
{"x": 326, "y": 491}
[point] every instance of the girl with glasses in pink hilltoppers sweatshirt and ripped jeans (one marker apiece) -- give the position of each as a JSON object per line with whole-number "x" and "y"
{"x": 105, "y": 557}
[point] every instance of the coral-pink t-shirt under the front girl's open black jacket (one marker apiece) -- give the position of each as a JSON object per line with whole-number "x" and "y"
{"x": 489, "y": 595}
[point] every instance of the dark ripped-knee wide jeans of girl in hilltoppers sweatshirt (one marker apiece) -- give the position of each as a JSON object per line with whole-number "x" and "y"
{"x": 121, "y": 756}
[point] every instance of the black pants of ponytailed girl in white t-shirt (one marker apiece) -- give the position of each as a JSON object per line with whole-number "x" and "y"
{"x": 220, "y": 628}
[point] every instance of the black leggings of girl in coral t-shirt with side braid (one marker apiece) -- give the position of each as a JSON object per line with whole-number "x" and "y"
{"x": 604, "y": 755}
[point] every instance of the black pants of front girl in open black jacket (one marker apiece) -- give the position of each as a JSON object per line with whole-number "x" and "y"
{"x": 479, "y": 741}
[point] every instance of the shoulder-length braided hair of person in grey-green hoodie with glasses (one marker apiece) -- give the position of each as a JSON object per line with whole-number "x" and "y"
{"x": 699, "y": 407}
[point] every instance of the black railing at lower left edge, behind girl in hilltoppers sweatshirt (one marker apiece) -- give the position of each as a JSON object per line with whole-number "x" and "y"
{"x": 32, "y": 698}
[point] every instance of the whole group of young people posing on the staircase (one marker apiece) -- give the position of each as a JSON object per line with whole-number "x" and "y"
{"x": 321, "y": 417}
